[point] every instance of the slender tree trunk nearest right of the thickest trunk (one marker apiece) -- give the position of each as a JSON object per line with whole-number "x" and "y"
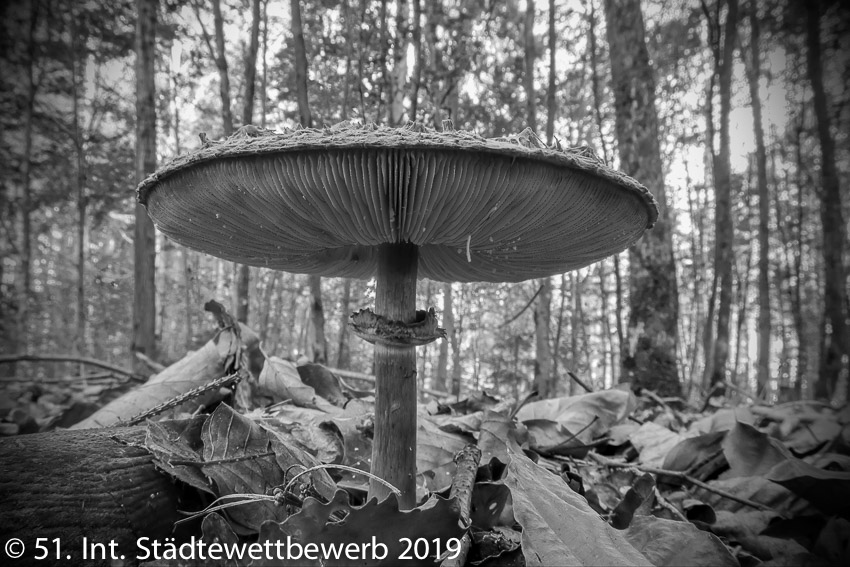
{"x": 723, "y": 224}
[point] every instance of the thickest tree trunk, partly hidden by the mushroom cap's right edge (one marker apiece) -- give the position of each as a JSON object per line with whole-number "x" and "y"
{"x": 653, "y": 294}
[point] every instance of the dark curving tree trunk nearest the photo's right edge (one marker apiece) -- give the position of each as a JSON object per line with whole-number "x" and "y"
{"x": 835, "y": 345}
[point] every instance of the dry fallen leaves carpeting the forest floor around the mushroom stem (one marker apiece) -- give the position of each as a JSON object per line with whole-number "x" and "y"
{"x": 604, "y": 478}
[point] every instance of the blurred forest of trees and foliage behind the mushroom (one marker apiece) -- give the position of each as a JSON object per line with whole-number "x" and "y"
{"x": 735, "y": 115}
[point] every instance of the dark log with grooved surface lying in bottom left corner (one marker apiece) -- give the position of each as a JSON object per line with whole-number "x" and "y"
{"x": 65, "y": 486}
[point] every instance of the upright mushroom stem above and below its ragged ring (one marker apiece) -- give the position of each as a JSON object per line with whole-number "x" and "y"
{"x": 394, "y": 444}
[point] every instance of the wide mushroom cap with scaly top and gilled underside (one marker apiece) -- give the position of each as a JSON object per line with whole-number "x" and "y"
{"x": 321, "y": 201}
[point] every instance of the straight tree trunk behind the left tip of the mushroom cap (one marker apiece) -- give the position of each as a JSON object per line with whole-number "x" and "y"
{"x": 144, "y": 299}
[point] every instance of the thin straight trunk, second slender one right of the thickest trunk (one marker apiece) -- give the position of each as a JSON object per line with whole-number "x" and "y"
{"x": 763, "y": 364}
